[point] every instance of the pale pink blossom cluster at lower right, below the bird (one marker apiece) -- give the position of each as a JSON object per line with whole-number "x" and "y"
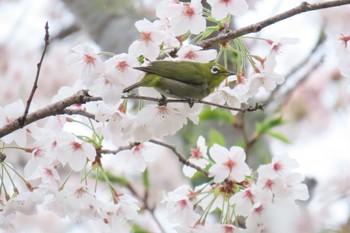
{"x": 237, "y": 193}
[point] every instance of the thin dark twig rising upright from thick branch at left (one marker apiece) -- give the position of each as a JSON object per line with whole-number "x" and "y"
{"x": 22, "y": 121}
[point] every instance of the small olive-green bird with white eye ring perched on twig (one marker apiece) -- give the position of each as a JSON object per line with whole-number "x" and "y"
{"x": 182, "y": 79}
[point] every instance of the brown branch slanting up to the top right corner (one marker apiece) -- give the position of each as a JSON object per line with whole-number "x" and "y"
{"x": 302, "y": 8}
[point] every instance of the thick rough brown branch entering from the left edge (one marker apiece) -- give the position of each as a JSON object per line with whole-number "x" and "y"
{"x": 57, "y": 108}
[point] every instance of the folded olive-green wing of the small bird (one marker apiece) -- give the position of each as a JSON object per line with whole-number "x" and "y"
{"x": 187, "y": 72}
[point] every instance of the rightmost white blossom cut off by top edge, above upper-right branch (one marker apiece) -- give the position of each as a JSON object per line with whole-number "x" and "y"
{"x": 220, "y": 8}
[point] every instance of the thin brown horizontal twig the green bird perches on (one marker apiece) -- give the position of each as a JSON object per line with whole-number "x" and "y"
{"x": 161, "y": 101}
